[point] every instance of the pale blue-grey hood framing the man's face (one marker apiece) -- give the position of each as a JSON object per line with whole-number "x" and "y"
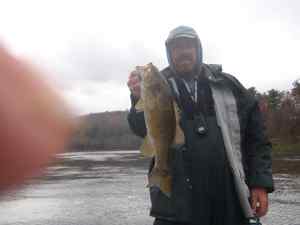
{"x": 183, "y": 31}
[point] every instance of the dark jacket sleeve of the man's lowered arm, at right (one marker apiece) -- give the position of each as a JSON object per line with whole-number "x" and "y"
{"x": 259, "y": 151}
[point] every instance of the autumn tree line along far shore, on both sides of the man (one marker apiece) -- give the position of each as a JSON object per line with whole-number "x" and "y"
{"x": 110, "y": 130}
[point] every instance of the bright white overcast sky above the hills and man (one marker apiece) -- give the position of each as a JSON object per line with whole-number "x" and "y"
{"x": 88, "y": 47}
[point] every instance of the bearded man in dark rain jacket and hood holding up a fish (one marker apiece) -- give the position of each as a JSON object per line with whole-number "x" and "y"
{"x": 225, "y": 163}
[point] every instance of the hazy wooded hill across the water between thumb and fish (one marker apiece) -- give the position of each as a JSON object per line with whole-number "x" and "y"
{"x": 104, "y": 131}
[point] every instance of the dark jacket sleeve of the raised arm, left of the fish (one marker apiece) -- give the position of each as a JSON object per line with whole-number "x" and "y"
{"x": 136, "y": 119}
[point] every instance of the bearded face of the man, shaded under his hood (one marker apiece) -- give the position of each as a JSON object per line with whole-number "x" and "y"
{"x": 184, "y": 54}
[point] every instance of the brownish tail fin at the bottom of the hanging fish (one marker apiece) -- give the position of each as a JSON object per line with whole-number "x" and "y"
{"x": 160, "y": 180}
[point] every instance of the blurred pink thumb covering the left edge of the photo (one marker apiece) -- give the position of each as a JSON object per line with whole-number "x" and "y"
{"x": 34, "y": 122}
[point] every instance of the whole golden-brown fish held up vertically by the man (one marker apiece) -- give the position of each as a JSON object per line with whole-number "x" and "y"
{"x": 157, "y": 103}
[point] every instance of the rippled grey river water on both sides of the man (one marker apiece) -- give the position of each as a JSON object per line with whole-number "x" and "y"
{"x": 109, "y": 188}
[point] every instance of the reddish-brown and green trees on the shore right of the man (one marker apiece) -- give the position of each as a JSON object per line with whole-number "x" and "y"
{"x": 281, "y": 111}
